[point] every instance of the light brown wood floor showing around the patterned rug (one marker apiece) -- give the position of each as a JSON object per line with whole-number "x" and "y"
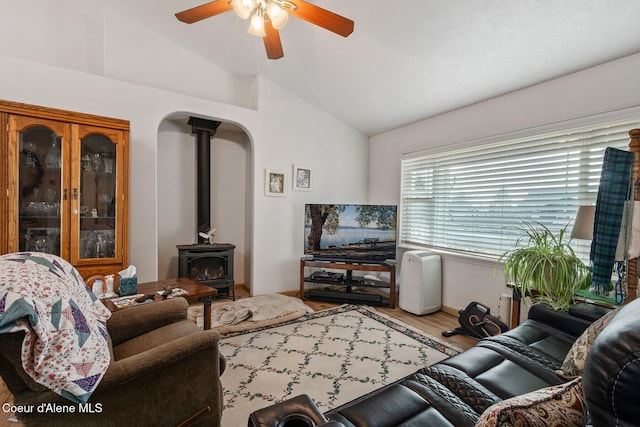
{"x": 433, "y": 324}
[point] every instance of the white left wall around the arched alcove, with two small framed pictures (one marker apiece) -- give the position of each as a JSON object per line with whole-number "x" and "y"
{"x": 92, "y": 69}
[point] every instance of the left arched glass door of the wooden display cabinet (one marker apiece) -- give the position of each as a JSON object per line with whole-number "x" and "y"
{"x": 36, "y": 148}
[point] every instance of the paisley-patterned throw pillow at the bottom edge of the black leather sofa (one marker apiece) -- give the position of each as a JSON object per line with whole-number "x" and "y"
{"x": 559, "y": 405}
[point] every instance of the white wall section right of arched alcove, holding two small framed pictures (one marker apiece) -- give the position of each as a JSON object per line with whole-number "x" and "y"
{"x": 301, "y": 135}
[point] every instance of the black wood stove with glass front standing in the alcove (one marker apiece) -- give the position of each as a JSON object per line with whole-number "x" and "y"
{"x": 211, "y": 264}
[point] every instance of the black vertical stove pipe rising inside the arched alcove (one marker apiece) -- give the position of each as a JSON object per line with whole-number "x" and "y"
{"x": 204, "y": 131}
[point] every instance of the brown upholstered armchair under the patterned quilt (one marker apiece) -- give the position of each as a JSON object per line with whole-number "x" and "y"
{"x": 164, "y": 371}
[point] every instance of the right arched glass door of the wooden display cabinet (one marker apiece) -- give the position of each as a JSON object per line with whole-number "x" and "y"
{"x": 97, "y": 229}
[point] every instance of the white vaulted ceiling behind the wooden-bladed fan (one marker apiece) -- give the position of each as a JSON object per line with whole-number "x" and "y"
{"x": 410, "y": 59}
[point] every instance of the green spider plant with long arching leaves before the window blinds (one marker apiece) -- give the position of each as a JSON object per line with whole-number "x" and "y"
{"x": 544, "y": 266}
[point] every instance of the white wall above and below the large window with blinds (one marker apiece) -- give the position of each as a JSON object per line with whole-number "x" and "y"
{"x": 577, "y": 96}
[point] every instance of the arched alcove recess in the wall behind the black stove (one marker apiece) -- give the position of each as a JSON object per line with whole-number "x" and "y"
{"x": 231, "y": 202}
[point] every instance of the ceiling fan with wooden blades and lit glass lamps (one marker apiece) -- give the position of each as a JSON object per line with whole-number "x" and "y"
{"x": 268, "y": 16}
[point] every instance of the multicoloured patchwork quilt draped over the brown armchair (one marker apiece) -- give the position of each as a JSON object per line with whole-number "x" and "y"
{"x": 65, "y": 346}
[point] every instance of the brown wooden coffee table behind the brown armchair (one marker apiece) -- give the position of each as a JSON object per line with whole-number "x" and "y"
{"x": 197, "y": 292}
